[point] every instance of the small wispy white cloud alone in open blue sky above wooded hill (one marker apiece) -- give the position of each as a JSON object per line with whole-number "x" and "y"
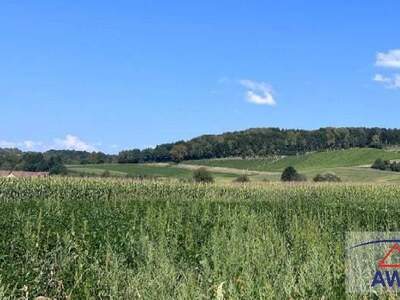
{"x": 258, "y": 92}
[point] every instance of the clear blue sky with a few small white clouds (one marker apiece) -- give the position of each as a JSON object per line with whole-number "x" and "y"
{"x": 113, "y": 75}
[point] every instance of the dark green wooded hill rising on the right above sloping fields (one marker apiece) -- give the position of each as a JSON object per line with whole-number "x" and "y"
{"x": 264, "y": 142}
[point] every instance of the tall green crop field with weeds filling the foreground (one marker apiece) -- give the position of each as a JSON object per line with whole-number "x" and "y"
{"x": 92, "y": 238}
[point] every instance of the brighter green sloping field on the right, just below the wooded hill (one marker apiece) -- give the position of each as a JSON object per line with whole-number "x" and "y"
{"x": 350, "y": 165}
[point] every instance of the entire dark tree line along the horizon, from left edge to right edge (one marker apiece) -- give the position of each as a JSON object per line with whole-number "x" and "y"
{"x": 257, "y": 142}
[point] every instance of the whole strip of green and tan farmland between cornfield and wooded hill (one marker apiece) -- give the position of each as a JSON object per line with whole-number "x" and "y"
{"x": 350, "y": 165}
